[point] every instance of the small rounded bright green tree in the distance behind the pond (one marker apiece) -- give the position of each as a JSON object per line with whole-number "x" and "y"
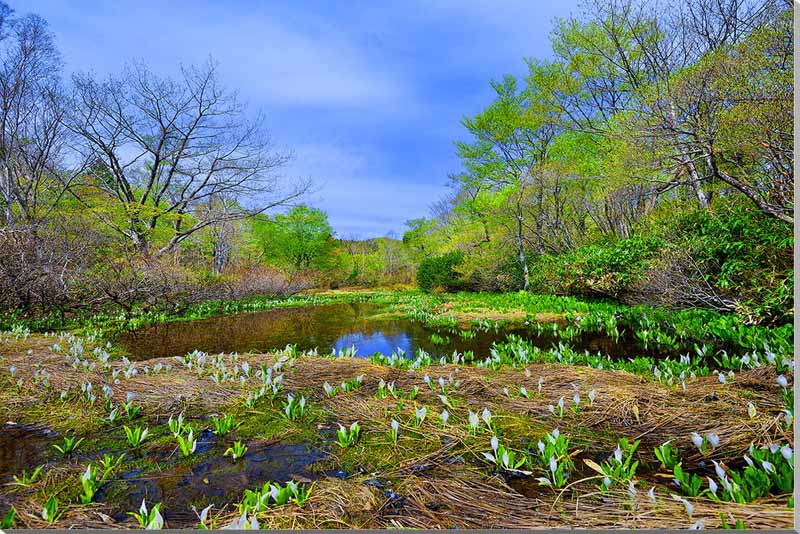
{"x": 301, "y": 239}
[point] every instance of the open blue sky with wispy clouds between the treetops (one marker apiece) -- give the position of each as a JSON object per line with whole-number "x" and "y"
{"x": 367, "y": 94}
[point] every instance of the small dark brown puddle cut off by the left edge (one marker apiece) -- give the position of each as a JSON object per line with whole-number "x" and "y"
{"x": 23, "y": 447}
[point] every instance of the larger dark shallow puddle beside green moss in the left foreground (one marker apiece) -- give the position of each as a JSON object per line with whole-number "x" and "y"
{"x": 215, "y": 480}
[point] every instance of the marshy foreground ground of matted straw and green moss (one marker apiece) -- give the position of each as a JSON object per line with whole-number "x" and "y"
{"x": 434, "y": 475}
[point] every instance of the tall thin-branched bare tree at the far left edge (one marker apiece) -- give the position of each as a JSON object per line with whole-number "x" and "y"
{"x": 31, "y": 111}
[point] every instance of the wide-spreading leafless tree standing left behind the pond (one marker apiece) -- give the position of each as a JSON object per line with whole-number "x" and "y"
{"x": 166, "y": 151}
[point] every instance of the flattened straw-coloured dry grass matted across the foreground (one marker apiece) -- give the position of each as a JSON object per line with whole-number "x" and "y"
{"x": 434, "y": 480}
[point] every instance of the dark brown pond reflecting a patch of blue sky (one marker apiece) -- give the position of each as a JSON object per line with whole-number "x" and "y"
{"x": 338, "y": 326}
